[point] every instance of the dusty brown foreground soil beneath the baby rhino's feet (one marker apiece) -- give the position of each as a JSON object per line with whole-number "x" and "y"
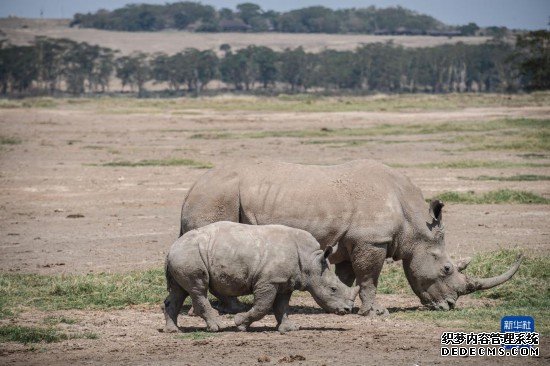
{"x": 134, "y": 336}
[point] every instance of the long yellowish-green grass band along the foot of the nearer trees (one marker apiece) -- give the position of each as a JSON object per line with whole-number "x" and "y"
{"x": 286, "y": 103}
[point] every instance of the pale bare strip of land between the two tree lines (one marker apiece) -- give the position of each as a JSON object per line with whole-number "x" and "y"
{"x": 23, "y": 31}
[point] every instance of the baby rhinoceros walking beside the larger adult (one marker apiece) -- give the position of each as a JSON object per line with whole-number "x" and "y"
{"x": 232, "y": 259}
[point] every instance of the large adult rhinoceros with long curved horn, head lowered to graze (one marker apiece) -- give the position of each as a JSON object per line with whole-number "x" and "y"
{"x": 371, "y": 210}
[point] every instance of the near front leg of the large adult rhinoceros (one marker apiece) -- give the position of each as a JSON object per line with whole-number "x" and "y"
{"x": 367, "y": 261}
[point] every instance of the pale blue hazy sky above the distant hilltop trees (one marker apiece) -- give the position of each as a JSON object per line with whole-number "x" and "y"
{"x": 526, "y": 14}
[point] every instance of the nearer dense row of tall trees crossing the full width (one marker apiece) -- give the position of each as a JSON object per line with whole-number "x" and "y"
{"x": 49, "y": 66}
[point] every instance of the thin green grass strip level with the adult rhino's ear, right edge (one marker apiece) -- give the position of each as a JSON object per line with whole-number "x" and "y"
{"x": 493, "y": 197}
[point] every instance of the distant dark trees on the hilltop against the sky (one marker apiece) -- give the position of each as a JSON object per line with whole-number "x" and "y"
{"x": 251, "y": 17}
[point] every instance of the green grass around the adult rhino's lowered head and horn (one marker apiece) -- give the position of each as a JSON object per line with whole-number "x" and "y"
{"x": 527, "y": 293}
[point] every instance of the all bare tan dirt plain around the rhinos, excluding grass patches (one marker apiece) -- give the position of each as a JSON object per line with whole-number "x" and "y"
{"x": 131, "y": 216}
